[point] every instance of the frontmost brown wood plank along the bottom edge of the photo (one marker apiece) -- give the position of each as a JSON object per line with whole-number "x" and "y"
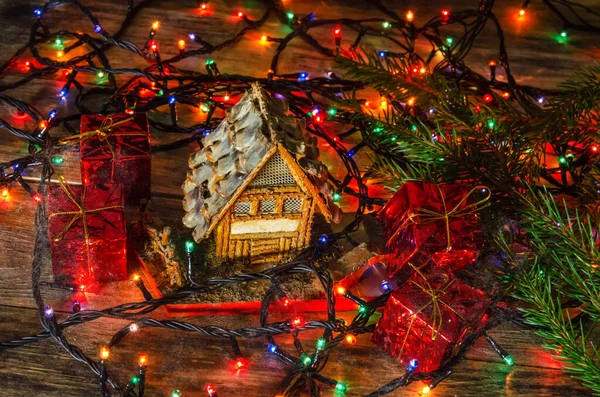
{"x": 189, "y": 362}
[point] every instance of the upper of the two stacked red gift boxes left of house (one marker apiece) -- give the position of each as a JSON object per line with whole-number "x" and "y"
{"x": 116, "y": 149}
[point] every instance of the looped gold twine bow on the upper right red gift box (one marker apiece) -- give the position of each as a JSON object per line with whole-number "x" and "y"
{"x": 424, "y": 216}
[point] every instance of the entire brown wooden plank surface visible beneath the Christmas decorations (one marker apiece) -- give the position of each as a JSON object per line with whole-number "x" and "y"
{"x": 185, "y": 362}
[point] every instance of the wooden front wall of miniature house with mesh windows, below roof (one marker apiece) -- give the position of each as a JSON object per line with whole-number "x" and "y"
{"x": 271, "y": 217}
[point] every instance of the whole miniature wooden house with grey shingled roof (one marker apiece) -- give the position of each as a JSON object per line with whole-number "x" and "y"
{"x": 257, "y": 183}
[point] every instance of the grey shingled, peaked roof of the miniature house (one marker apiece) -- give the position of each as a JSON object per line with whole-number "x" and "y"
{"x": 253, "y": 130}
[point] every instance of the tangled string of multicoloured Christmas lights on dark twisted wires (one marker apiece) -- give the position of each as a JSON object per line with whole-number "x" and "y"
{"x": 151, "y": 88}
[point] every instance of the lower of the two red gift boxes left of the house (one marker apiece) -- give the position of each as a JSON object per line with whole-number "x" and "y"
{"x": 87, "y": 233}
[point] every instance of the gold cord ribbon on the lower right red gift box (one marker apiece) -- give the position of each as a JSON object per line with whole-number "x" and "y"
{"x": 437, "y": 319}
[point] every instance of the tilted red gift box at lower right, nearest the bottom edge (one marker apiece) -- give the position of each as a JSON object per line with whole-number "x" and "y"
{"x": 427, "y": 317}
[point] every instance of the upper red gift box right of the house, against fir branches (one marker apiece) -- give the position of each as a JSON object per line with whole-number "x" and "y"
{"x": 438, "y": 221}
